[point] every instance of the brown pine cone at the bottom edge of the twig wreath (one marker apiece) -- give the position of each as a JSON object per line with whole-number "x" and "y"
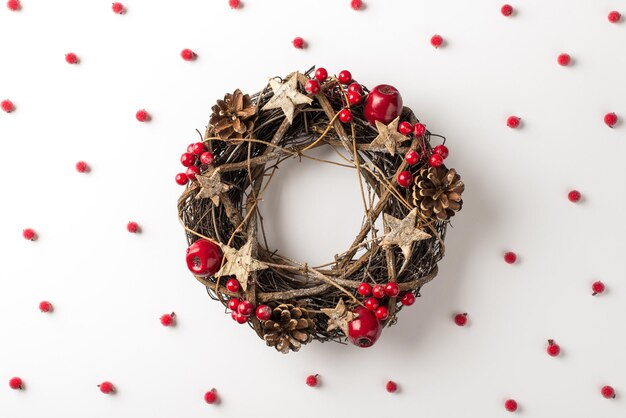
{"x": 288, "y": 328}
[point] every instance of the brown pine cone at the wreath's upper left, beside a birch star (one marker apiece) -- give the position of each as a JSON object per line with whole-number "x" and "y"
{"x": 232, "y": 117}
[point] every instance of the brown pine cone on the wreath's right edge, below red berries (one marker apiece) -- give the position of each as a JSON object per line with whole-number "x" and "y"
{"x": 437, "y": 192}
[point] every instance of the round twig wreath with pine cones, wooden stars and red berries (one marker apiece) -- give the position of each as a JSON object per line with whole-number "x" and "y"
{"x": 401, "y": 177}
